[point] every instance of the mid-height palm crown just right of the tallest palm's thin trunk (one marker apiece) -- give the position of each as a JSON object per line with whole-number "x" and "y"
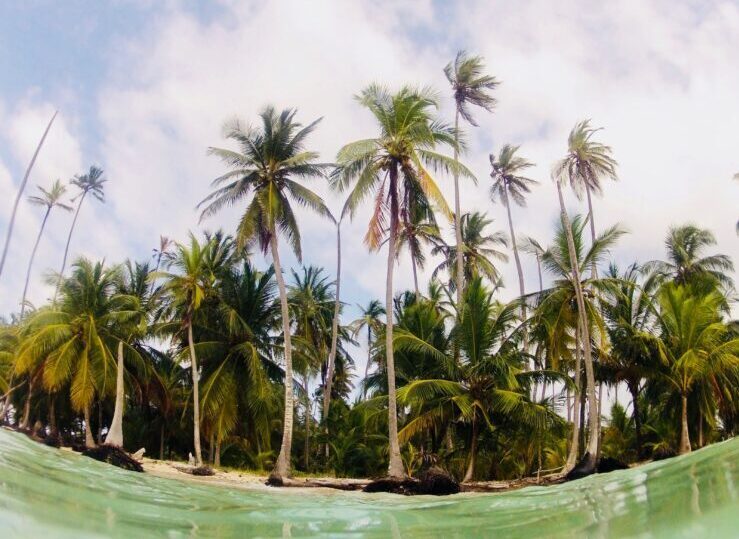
{"x": 479, "y": 248}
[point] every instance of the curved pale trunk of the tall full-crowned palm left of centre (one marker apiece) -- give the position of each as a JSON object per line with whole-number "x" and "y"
{"x": 282, "y": 467}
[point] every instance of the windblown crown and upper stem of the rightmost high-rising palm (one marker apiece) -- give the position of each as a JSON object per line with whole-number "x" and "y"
{"x": 587, "y": 163}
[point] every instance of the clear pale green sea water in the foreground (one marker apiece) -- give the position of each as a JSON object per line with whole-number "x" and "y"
{"x": 49, "y": 493}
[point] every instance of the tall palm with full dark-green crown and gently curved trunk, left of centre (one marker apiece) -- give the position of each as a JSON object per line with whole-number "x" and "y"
{"x": 266, "y": 168}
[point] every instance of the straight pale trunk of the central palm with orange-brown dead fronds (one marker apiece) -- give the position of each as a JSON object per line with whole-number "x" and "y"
{"x": 395, "y": 468}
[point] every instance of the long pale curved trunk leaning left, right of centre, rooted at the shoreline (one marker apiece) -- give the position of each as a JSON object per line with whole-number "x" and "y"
{"x": 589, "y": 460}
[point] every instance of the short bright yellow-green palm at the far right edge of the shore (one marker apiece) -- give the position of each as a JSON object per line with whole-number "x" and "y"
{"x": 694, "y": 343}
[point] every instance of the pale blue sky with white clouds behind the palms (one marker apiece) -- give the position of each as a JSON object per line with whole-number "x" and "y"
{"x": 143, "y": 89}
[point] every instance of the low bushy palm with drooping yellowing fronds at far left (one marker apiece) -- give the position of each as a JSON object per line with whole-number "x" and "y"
{"x": 74, "y": 344}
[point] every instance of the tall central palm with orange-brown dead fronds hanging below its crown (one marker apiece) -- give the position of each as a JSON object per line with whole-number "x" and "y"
{"x": 393, "y": 167}
